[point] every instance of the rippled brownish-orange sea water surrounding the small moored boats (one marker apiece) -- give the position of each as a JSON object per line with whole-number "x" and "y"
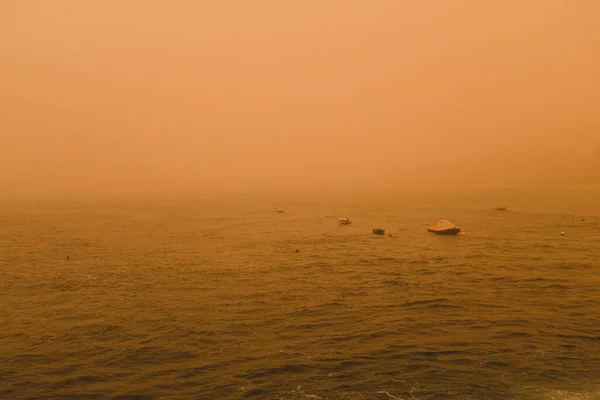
{"x": 221, "y": 298}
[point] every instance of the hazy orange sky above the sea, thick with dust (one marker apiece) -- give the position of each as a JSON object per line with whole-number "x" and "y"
{"x": 124, "y": 96}
